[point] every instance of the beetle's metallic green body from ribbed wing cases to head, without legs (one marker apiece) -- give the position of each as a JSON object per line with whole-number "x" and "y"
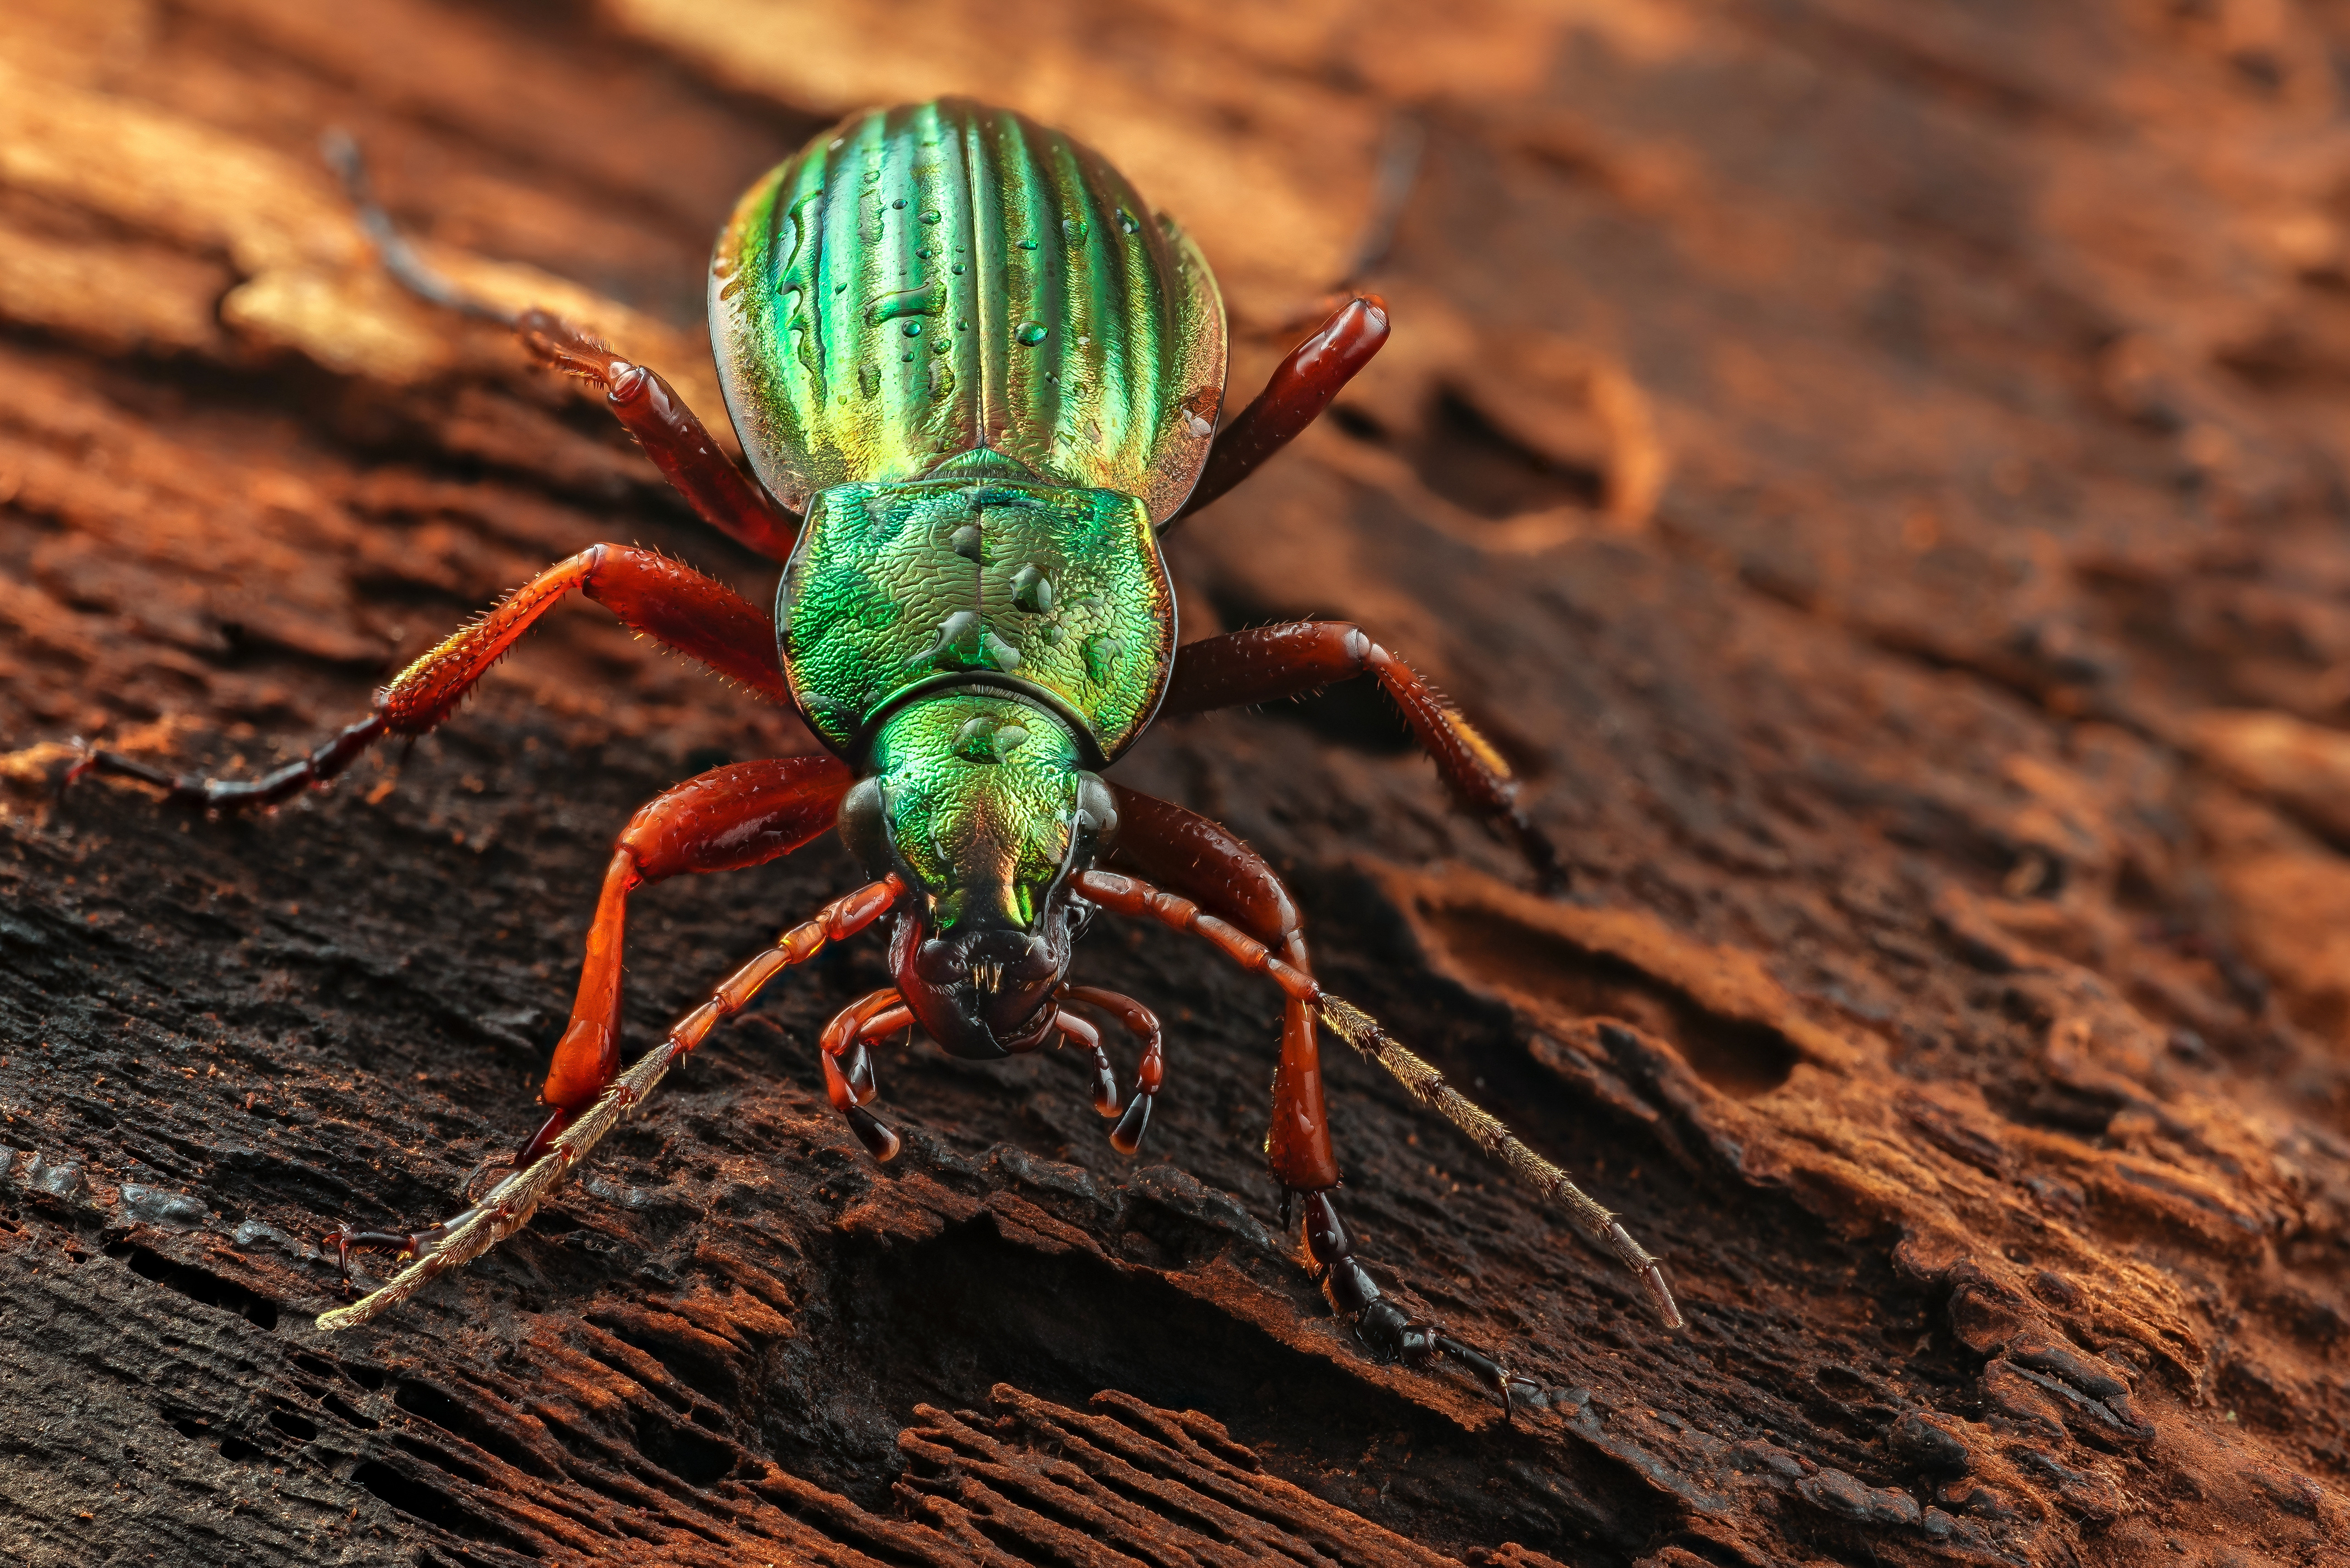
{"x": 986, "y": 373}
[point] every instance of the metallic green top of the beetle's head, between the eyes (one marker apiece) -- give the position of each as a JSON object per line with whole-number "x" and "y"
{"x": 979, "y": 793}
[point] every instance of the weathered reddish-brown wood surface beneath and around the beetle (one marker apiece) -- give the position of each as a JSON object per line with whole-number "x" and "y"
{"x": 1881, "y": 467}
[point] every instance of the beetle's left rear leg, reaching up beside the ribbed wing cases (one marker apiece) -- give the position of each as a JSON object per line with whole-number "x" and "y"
{"x": 638, "y": 396}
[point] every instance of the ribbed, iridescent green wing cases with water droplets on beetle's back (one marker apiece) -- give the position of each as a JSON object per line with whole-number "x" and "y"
{"x": 944, "y": 279}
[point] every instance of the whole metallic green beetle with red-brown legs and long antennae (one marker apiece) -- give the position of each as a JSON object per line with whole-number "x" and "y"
{"x": 976, "y": 382}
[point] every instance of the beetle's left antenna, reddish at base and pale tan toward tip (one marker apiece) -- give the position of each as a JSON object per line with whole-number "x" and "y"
{"x": 511, "y": 1205}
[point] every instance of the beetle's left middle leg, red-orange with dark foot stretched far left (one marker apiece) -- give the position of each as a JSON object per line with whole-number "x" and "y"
{"x": 647, "y": 591}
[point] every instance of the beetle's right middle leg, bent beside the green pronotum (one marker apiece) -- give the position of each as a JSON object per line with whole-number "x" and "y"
{"x": 1275, "y": 662}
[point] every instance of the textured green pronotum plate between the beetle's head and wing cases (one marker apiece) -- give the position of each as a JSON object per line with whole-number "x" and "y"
{"x": 1054, "y": 594}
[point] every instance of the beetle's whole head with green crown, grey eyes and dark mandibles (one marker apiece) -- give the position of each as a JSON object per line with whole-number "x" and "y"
{"x": 983, "y": 808}
